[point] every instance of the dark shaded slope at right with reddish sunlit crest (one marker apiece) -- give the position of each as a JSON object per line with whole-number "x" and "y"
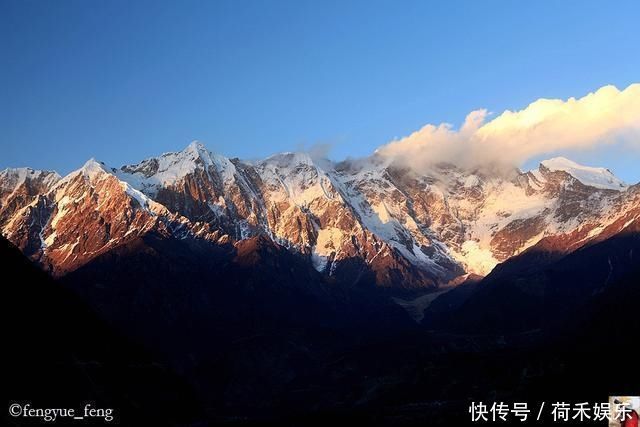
{"x": 547, "y": 289}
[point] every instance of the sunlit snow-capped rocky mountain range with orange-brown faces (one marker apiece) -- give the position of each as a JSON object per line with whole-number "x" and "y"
{"x": 410, "y": 229}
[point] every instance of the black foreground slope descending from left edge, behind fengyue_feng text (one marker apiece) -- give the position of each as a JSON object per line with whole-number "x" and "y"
{"x": 58, "y": 354}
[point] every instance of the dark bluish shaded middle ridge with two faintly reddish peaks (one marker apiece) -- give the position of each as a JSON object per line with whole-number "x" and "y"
{"x": 241, "y": 322}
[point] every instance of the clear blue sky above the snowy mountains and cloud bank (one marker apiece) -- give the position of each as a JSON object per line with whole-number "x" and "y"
{"x": 124, "y": 80}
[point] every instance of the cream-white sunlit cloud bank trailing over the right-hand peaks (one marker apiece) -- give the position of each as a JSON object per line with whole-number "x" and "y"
{"x": 546, "y": 126}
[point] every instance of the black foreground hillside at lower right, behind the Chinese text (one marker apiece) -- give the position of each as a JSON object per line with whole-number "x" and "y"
{"x": 427, "y": 379}
